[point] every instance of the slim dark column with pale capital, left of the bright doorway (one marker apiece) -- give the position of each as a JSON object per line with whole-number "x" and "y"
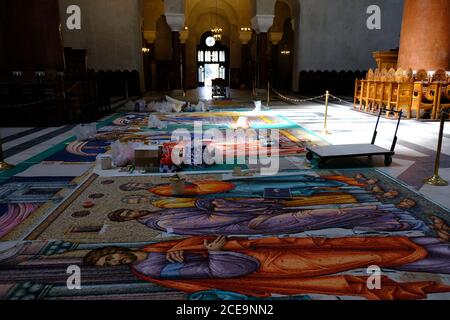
{"x": 176, "y": 24}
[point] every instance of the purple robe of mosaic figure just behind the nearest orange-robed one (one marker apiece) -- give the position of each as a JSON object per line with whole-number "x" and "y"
{"x": 261, "y": 217}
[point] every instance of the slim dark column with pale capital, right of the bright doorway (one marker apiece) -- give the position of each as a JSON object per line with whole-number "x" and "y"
{"x": 262, "y": 23}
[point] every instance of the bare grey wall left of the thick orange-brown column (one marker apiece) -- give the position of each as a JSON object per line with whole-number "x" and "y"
{"x": 333, "y": 34}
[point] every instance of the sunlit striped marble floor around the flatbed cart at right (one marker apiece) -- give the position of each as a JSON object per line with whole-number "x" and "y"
{"x": 415, "y": 151}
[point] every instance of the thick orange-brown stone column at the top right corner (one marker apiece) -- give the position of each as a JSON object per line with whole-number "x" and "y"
{"x": 425, "y": 37}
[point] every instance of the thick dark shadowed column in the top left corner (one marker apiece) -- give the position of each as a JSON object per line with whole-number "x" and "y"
{"x": 30, "y": 38}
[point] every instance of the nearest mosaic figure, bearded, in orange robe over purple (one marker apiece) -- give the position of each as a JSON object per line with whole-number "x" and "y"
{"x": 286, "y": 266}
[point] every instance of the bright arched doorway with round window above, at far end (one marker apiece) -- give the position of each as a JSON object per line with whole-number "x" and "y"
{"x": 212, "y": 60}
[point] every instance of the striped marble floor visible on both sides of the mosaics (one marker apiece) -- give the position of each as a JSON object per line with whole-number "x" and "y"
{"x": 414, "y": 161}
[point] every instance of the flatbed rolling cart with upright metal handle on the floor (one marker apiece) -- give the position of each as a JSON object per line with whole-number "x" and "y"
{"x": 326, "y": 153}
